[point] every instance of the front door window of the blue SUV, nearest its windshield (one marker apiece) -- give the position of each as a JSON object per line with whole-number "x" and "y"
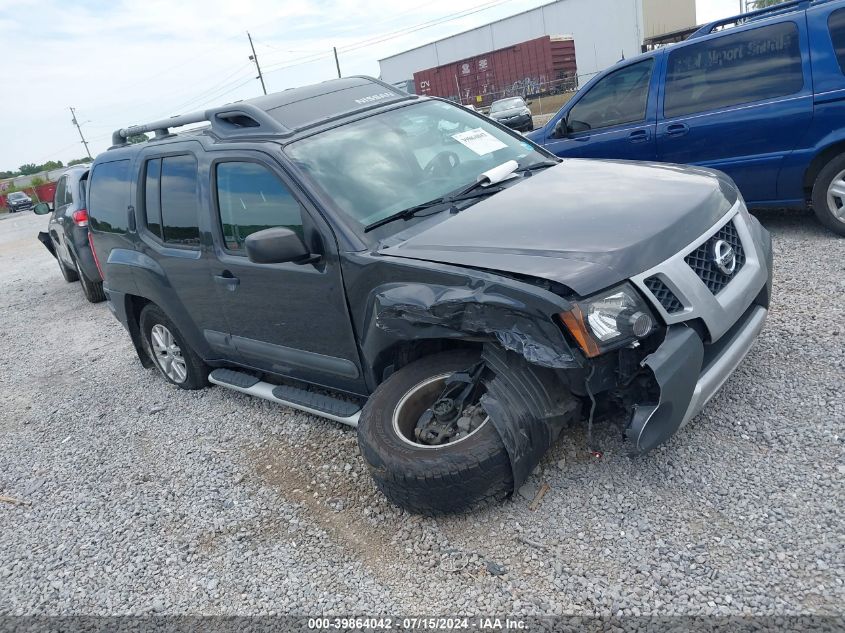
{"x": 619, "y": 98}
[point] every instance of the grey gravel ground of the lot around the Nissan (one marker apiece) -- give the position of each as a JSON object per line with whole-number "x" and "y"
{"x": 142, "y": 498}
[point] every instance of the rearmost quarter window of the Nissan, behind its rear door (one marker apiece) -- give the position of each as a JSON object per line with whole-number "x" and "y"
{"x": 108, "y": 197}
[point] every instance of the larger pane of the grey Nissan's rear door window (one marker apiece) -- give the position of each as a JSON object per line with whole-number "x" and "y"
{"x": 179, "y": 200}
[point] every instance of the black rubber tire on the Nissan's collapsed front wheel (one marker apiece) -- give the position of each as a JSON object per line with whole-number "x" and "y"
{"x": 452, "y": 477}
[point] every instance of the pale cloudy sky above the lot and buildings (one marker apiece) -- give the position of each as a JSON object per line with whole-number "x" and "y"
{"x": 121, "y": 62}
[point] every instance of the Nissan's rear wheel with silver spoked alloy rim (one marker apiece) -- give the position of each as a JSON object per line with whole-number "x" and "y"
{"x": 170, "y": 353}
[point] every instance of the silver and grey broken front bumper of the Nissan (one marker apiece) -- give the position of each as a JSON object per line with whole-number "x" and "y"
{"x": 693, "y": 363}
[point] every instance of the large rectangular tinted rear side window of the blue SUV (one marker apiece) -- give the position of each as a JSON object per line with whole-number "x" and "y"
{"x": 734, "y": 69}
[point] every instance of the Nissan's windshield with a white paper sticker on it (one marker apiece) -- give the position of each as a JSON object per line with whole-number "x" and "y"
{"x": 376, "y": 167}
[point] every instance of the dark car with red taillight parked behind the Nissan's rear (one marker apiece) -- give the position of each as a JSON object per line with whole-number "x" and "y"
{"x": 67, "y": 235}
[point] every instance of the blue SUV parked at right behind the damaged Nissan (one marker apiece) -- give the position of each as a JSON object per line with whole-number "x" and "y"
{"x": 760, "y": 97}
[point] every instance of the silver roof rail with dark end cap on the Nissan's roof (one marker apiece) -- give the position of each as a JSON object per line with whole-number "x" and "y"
{"x": 237, "y": 119}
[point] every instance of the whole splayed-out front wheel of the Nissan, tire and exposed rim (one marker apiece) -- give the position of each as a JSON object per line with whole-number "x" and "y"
{"x": 430, "y": 445}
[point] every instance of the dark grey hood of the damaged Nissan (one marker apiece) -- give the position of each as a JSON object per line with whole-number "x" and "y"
{"x": 583, "y": 223}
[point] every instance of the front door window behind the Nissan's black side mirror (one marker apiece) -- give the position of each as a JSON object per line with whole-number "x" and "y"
{"x": 250, "y": 198}
